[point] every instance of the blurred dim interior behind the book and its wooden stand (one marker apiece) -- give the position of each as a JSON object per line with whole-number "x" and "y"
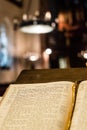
{"x": 64, "y": 46}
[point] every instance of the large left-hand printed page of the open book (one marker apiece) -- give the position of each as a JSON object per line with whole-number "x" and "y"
{"x": 43, "y": 106}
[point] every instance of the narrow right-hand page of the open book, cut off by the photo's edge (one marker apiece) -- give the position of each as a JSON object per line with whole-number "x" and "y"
{"x": 79, "y": 121}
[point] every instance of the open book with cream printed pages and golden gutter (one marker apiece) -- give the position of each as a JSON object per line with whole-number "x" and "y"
{"x": 58, "y": 105}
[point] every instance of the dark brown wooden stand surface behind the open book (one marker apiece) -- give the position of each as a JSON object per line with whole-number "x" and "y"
{"x": 48, "y": 75}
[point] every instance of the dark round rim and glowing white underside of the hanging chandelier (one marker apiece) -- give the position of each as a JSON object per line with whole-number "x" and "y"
{"x": 36, "y": 26}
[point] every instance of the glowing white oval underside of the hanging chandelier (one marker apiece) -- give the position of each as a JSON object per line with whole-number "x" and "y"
{"x": 37, "y": 29}
